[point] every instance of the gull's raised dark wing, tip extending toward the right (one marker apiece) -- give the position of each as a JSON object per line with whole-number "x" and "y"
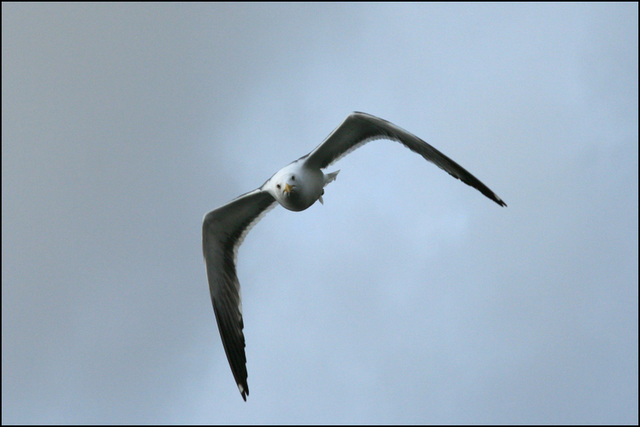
{"x": 360, "y": 128}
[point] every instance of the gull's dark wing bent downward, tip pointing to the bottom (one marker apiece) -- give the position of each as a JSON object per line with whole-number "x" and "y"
{"x": 223, "y": 230}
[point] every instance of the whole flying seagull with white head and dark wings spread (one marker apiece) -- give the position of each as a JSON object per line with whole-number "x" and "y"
{"x": 295, "y": 187}
